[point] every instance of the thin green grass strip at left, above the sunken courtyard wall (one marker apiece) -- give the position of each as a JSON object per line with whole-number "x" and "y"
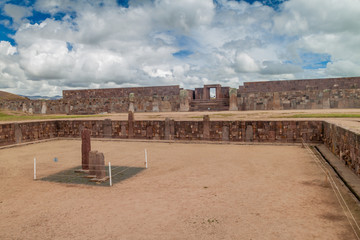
{"x": 7, "y": 117}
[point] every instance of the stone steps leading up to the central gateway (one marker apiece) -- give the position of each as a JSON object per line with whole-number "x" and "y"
{"x": 221, "y": 104}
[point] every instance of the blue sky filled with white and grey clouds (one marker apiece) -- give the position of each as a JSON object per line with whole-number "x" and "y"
{"x": 47, "y": 46}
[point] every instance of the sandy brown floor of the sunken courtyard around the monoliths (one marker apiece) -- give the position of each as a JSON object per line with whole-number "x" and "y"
{"x": 189, "y": 191}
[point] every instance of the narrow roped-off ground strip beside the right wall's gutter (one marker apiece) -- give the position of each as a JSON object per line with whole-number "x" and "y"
{"x": 335, "y": 189}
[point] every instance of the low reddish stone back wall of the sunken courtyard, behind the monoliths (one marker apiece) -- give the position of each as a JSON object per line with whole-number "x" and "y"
{"x": 237, "y": 131}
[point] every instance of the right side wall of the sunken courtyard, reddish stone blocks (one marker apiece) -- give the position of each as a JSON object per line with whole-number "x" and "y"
{"x": 344, "y": 143}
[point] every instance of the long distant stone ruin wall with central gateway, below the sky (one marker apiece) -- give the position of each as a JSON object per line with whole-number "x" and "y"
{"x": 267, "y": 95}
